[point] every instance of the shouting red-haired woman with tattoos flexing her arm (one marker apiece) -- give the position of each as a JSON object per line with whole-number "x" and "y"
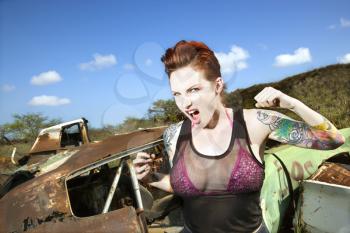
{"x": 216, "y": 154}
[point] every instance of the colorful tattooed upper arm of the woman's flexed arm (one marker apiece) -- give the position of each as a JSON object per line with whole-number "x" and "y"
{"x": 323, "y": 137}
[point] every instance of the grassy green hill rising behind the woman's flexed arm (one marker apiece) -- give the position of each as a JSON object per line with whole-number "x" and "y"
{"x": 326, "y": 90}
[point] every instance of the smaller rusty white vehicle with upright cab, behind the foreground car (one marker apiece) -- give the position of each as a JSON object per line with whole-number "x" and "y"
{"x": 50, "y": 149}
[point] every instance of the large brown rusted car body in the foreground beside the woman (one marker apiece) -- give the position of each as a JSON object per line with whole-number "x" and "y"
{"x": 91, "y": 189}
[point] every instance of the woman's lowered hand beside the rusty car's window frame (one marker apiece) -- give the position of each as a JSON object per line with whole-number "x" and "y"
{"x": 142, "y": 164}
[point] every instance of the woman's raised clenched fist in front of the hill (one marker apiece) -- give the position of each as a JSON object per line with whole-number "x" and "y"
{"x": 271, "y": 97}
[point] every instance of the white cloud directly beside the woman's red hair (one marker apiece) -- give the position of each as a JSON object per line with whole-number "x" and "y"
{"x": 233, "y": 61}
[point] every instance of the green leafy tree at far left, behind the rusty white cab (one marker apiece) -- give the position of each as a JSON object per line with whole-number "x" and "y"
{"x": 27, "y": 126}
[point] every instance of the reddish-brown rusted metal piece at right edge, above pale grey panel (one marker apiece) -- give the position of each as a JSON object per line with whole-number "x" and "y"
{"x": 333, "y": 173}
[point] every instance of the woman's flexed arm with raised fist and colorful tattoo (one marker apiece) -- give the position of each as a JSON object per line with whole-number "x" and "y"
{"x": 316, "y": 132}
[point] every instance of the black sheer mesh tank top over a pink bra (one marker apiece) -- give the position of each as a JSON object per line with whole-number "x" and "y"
{"x": 220, "y": 193}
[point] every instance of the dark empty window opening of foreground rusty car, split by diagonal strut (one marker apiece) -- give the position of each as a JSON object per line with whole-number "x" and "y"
{"x": 88, "y": 192}
